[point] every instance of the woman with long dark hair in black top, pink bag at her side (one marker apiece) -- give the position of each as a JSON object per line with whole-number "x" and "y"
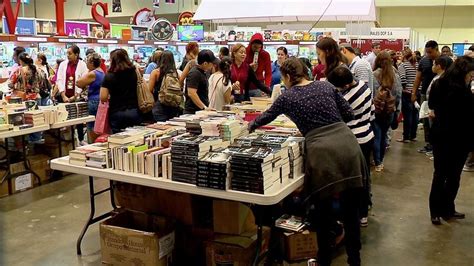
{"x": 120, "y": 89}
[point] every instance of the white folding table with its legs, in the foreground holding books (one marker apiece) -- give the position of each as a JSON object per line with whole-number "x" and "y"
{"x": 271, "y": 197}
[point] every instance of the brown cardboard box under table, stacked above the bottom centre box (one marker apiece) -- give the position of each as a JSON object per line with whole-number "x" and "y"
{"x": 231, "y": 217}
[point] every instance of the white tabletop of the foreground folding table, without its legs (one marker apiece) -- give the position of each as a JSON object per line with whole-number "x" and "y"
{"x": 271, "y": 197}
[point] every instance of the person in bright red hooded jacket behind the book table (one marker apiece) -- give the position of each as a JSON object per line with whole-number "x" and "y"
{"x": 260, "y": 62}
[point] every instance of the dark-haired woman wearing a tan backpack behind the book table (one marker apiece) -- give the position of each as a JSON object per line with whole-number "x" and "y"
{"x": 167, "y": 68}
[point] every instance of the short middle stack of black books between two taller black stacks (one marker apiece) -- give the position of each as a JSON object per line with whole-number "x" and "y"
{"x": 213, "y": 170}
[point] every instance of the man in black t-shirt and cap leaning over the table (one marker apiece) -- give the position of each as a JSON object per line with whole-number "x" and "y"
{"x": 197, "y": 82}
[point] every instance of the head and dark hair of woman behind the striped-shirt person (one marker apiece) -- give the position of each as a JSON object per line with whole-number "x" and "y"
{"x": 329, "y": 54}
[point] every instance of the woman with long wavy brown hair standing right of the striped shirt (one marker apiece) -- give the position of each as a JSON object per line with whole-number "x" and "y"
{"x": 385, "y": 79}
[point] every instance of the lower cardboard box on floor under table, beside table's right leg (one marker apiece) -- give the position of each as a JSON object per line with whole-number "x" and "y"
{"x": 235, "y": 250}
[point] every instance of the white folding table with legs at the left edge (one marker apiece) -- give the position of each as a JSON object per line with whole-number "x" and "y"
{"x": 19, "y": 133}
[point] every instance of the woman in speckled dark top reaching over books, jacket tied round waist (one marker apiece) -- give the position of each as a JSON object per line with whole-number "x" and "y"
{"x": 335, "y": 164}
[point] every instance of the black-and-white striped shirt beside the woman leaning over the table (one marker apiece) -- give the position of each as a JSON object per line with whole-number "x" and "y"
{"x": 359, "y": 97}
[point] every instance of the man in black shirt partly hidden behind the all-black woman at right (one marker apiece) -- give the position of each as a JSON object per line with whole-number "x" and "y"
{"x": 424, "y": 76}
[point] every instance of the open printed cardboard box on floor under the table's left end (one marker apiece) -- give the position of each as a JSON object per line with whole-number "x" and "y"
{"x": 135, "y": 238}
